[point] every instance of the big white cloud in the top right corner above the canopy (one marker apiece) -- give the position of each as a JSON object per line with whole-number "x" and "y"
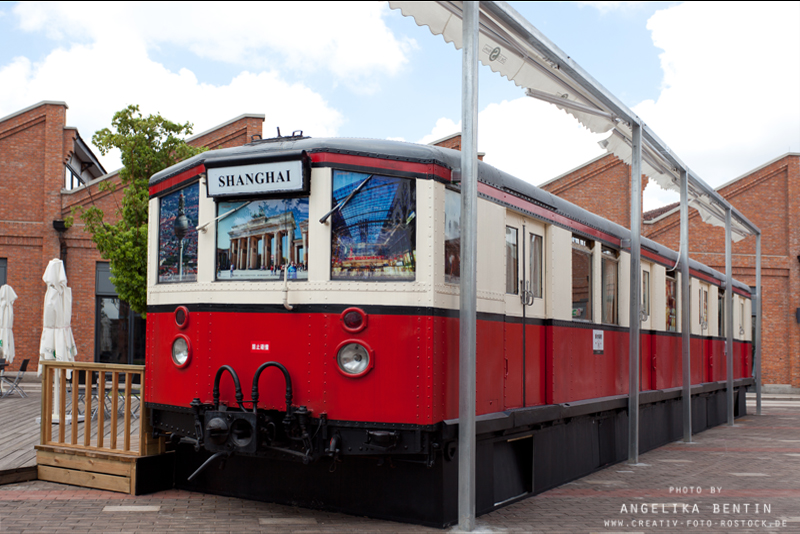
{"x": 729, "y": 100}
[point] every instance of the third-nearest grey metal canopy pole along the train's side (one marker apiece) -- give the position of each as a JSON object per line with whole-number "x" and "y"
{"x": 686, "y": 310}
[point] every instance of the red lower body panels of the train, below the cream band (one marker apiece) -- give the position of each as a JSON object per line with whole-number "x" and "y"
{"x": 414, "y": 376}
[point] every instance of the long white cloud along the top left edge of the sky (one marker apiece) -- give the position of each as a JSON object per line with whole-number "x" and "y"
{"x": 348, "y": 39}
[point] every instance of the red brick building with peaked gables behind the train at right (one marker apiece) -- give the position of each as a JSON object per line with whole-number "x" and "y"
{"x": 769, "y": 196}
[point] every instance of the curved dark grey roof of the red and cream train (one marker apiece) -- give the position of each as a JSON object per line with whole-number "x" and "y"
{"x": 425, "y": 154}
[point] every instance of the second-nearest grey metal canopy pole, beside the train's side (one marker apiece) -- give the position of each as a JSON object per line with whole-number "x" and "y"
{"x": 635, "y": 305}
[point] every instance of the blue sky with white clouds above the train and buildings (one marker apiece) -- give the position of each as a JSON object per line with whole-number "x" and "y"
{"x": 718, "y": 82}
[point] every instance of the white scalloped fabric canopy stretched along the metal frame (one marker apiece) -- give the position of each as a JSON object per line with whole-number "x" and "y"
{"x": 507, "y": 52}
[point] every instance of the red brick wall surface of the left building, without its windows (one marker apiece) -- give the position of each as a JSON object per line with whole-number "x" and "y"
{"x": 34, "y": 146}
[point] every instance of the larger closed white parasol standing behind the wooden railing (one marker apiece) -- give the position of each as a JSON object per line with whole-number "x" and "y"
{"x": 57, "y": 342}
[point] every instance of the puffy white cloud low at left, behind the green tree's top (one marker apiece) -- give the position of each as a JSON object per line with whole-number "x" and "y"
{"x": 99, "y": 79}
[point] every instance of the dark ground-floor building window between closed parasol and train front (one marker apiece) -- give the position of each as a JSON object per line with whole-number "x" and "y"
{"x": 119, "y": 331}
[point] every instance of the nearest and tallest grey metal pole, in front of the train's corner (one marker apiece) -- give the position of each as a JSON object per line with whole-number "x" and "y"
{"x": 469, "y": 268}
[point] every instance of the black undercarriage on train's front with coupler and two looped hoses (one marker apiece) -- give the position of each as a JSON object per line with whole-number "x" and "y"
{"x": 294, "y": 434}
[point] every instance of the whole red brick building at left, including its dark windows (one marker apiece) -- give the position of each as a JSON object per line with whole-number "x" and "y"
{"x": 46, "y": 169}
